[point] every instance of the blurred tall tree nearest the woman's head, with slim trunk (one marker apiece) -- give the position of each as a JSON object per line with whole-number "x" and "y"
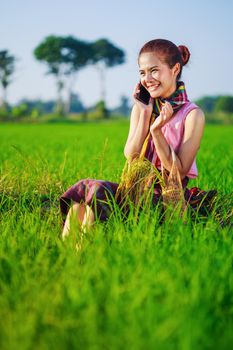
{"x": 105, "y": 55}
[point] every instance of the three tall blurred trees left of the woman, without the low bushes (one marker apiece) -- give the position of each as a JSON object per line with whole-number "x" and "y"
{"x": 64, "y": 57}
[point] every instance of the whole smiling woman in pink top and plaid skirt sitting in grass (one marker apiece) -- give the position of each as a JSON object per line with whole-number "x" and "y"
{"x": 179, "y": 125}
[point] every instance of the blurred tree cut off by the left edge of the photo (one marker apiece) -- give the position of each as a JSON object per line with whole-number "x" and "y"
{"x": 7, "y": 68}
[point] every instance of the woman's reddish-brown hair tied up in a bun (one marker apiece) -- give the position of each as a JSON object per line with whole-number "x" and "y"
{"x": 168, "y": 52}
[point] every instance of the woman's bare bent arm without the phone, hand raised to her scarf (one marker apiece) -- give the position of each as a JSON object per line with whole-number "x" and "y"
{"x": 194, "y": 126}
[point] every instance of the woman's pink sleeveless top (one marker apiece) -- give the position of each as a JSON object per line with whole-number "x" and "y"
{"x": 173, "y": 132}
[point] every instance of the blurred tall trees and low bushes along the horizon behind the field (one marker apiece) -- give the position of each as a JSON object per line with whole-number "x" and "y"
{"x": 64, "y": 57}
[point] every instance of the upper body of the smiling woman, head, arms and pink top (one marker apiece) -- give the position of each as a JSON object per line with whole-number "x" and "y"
{"x": 160, "y": 66}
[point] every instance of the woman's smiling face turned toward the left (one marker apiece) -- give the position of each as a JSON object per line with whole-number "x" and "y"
{"x": 156, "y": 76}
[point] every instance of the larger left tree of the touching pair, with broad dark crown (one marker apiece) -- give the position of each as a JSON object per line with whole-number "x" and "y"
{"x": 64, "y": 56}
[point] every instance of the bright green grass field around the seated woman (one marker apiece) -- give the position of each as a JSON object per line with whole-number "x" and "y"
{"x": 132, "y": 286}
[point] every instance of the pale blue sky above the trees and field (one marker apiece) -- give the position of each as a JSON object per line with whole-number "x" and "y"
{"x": 205, "y": 27}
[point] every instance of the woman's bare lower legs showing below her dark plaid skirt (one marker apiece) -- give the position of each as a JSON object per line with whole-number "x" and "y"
{"x": 82, "y": 216}
